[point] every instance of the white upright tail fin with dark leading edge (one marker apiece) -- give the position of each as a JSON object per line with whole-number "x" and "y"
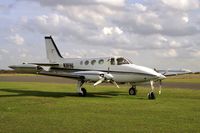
{"x": 53, "y": 53}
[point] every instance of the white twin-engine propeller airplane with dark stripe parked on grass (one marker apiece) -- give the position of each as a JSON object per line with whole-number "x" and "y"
{"x": 114, "y": 70}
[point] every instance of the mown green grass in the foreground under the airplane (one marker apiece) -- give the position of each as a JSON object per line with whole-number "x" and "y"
{"x": 41, "y": 107}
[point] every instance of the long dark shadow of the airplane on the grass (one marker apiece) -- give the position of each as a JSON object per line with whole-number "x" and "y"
{"x": 22, "y": 93}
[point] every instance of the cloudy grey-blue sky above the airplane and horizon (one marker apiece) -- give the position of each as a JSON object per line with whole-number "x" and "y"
{"x": 162, "y": 34}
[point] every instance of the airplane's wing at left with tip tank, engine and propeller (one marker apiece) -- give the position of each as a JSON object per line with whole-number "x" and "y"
{"x": 38, "y": 68}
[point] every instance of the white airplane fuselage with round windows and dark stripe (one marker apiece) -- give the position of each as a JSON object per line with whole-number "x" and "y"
{"x": 122, "y": 73}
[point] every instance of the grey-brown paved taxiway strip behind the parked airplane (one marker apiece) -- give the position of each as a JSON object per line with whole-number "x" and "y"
{"x": 49, "y": 79}
